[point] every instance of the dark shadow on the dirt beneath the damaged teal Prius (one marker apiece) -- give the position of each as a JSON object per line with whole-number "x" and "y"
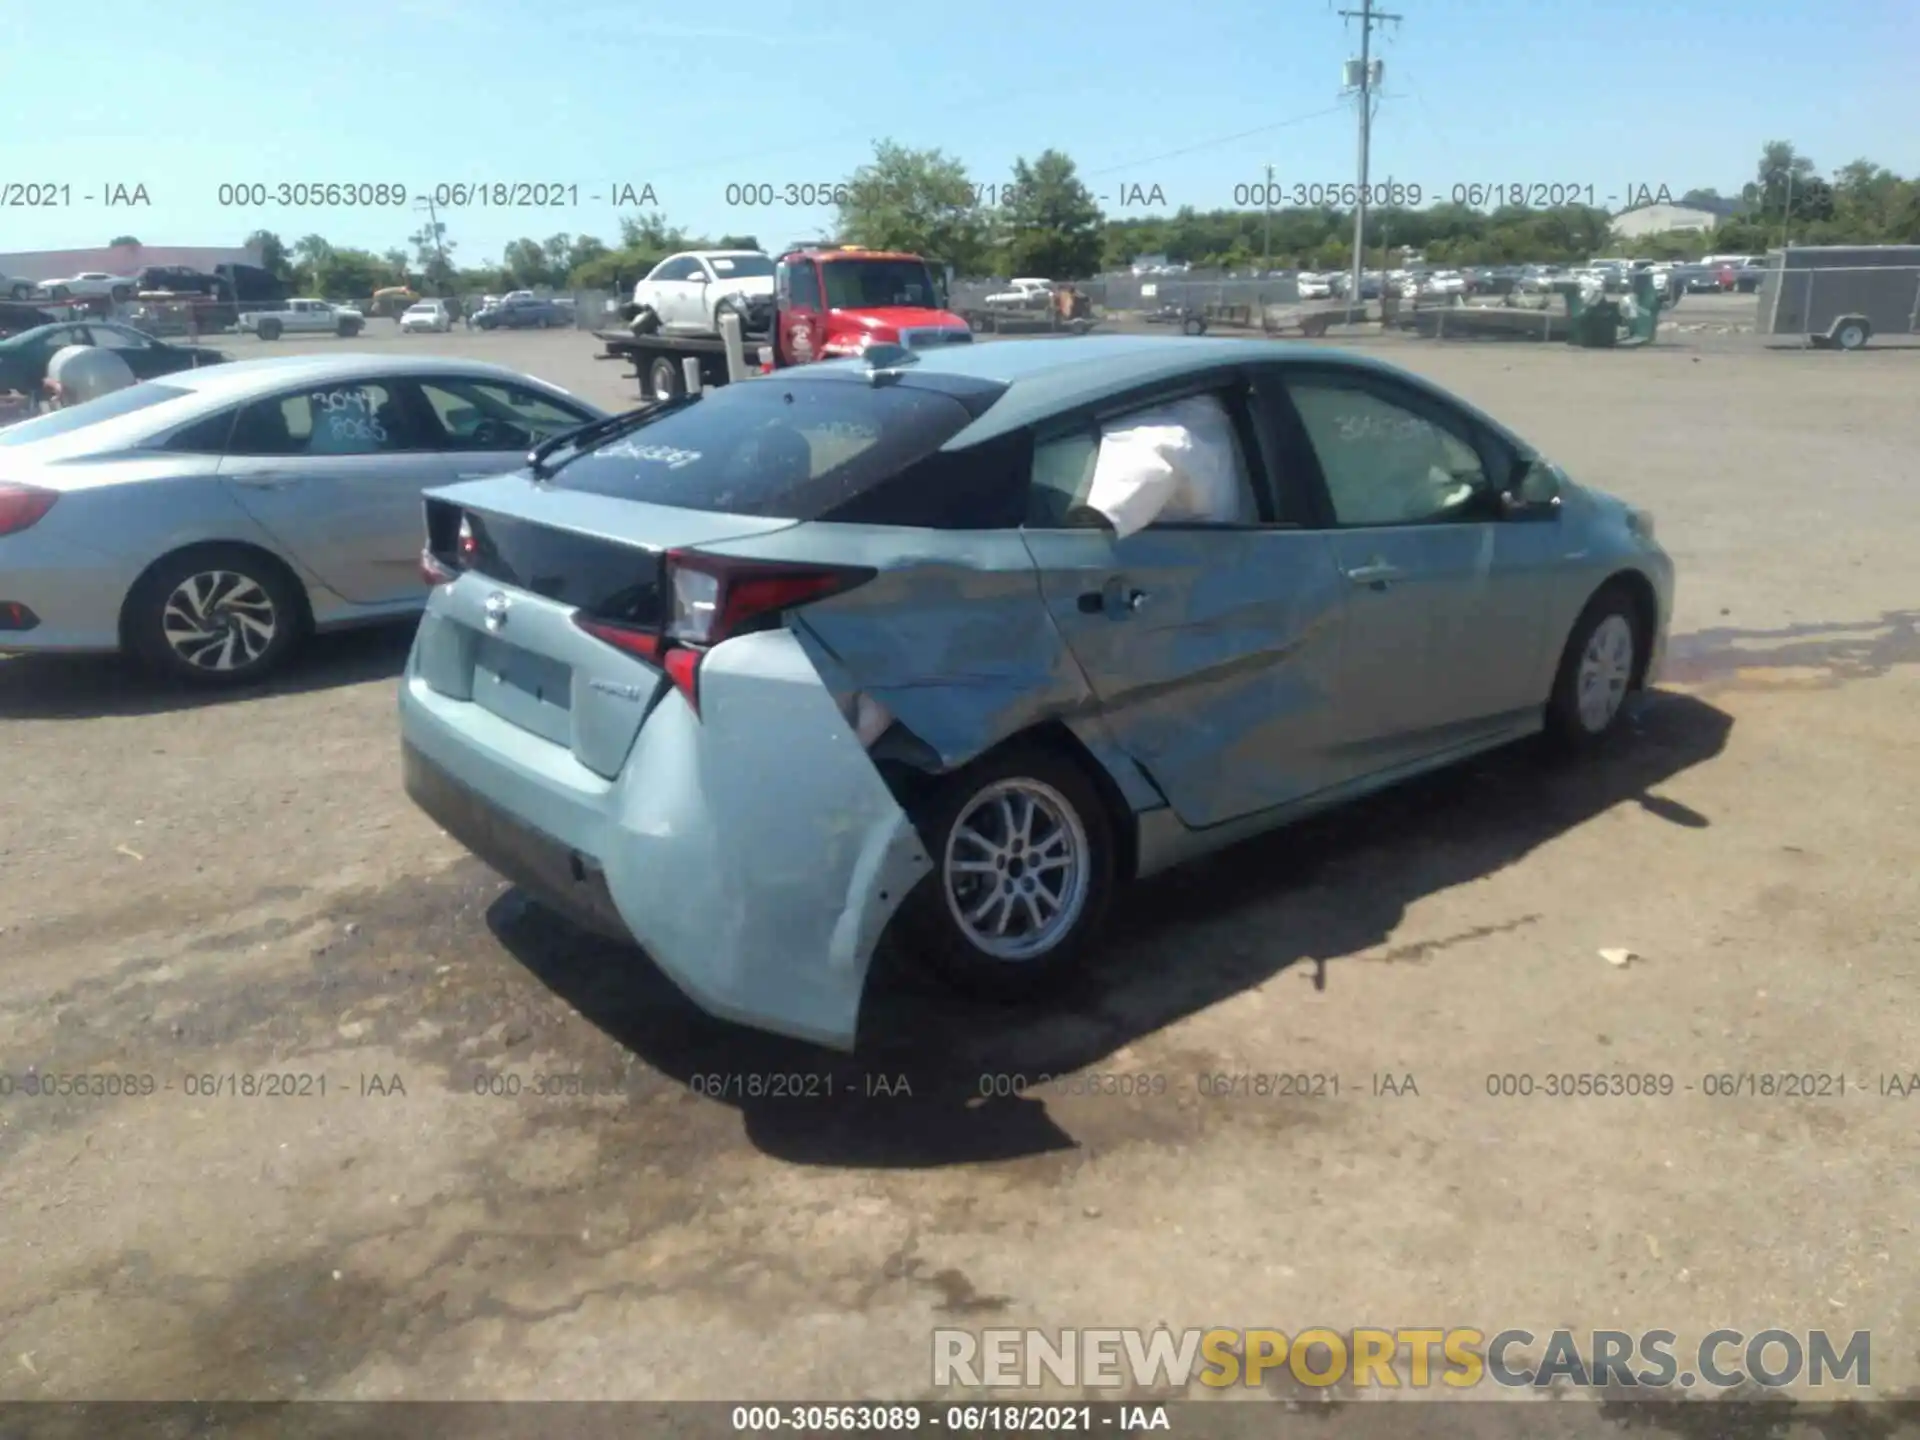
{"x": 919, "y": 1090}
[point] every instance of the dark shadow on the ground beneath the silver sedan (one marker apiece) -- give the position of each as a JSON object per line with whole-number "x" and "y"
{"x": 91, "y": 686}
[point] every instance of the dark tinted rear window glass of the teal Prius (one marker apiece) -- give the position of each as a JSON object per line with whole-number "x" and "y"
{"x": 775, "y": 448}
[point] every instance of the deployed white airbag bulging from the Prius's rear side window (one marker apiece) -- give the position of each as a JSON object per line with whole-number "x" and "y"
{"x": 1170, "y": 464}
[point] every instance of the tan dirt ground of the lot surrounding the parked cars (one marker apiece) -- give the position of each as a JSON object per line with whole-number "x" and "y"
{"x": 206, "y": 894}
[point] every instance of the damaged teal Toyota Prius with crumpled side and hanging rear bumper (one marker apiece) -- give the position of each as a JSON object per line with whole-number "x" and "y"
{"x": 963, "y": 640}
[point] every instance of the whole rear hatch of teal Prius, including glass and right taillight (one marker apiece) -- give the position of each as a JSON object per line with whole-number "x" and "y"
{"x": 569, "y": 604}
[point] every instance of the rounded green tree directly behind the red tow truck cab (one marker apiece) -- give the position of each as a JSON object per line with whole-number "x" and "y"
{"x": 917, "y": 201}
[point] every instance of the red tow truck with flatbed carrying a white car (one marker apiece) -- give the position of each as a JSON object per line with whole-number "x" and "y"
{"x": 828, "y": 302}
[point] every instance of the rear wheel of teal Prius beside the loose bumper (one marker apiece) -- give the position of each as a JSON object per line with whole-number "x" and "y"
{"x": 984, "y": 828}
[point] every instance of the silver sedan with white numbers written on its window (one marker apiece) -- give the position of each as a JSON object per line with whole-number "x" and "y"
{"x": 210, "y": 521}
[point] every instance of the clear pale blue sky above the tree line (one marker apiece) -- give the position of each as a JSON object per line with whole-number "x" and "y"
{"x": 1191, "y": 99}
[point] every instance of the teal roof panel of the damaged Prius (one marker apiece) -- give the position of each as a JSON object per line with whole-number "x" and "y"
{"x": 1049, "y": 377}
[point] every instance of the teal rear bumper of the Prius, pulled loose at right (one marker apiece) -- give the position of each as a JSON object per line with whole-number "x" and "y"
{"x": 754, "y": 852}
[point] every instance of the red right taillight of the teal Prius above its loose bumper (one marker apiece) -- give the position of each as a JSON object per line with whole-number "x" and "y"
{"x": 715, "y": 598}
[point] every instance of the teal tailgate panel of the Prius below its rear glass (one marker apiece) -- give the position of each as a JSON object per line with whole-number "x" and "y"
{"x": 504, "y": 635}
